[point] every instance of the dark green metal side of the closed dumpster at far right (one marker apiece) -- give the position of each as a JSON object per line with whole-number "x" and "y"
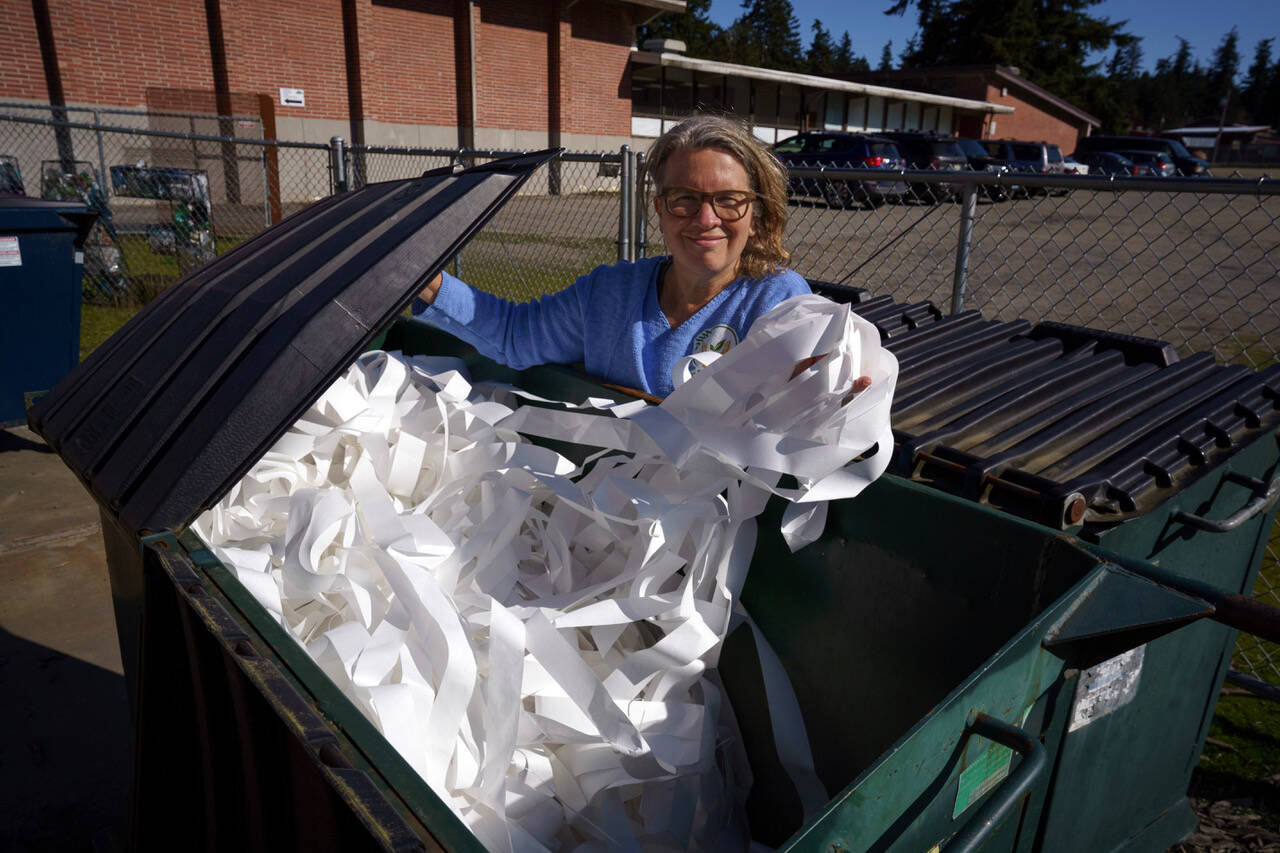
{"x": 1153, "y": 743}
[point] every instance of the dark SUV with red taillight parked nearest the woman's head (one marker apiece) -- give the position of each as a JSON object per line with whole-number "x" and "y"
{"x": 844, "y": 150}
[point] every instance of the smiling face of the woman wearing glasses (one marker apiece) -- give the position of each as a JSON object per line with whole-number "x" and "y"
{"x": 705, "y": 249}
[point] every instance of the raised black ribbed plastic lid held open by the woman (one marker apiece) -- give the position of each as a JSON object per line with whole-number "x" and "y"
{"x": 167, "y": 416}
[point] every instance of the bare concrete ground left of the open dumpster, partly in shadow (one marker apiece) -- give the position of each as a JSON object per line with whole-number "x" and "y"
{"x": 65, "y": 741}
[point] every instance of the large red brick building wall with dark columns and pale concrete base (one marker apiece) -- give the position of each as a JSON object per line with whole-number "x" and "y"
{"x": 484, "y": 74}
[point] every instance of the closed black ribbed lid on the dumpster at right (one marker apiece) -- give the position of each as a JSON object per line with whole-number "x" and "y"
{"x": 1058, "y": 423}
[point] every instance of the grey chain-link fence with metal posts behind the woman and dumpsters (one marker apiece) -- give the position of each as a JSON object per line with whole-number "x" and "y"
{"x": 1192, "y": 262}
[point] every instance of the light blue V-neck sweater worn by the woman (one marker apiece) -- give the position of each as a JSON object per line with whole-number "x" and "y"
{"x": 609, "y": 321}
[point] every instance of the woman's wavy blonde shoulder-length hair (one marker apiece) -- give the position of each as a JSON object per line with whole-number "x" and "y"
{"x": 764, "y": 253}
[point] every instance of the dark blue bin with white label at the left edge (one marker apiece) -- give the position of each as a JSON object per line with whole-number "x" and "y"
{"x": 42, "y": 258}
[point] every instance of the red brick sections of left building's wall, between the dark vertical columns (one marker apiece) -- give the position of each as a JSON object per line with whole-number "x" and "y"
{"x": 113, "y": 54}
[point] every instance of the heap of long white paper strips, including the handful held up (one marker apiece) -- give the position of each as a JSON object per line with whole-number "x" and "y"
{"x": 534, "y": 637}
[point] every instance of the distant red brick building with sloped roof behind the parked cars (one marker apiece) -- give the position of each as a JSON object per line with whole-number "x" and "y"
{"x": 1037, "y": 116}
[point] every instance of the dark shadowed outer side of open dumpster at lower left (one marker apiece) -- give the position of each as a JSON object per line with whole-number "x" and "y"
{"x": 230, "y": 750}
